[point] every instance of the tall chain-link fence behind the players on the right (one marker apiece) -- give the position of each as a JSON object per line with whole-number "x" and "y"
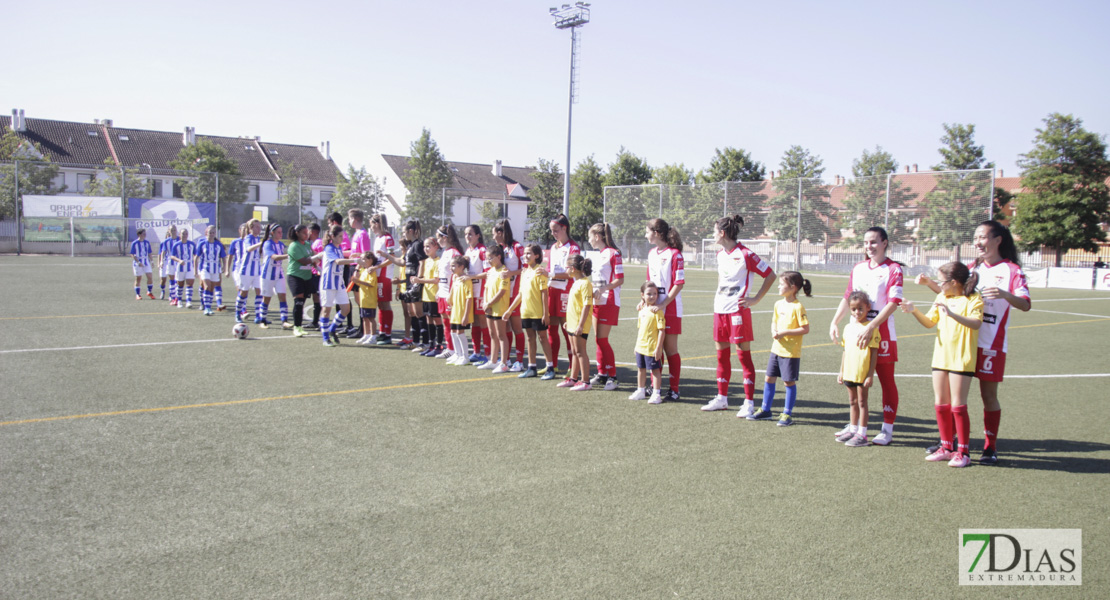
{"x": 809, "y": 225}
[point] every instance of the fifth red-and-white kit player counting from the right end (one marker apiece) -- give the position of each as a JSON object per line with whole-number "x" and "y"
{"x": 609, "y": 278}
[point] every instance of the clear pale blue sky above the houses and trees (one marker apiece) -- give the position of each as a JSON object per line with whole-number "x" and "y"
{"x": 670, "y": 82}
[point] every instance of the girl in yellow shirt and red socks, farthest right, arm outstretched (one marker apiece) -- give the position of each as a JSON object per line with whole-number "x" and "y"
{"x": 957, "y": 313}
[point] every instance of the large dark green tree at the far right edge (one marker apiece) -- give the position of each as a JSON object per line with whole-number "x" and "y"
{"x": 1066, "y": 200}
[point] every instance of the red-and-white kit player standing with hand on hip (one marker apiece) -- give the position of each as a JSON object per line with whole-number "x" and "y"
{"x": 738, "y": 268}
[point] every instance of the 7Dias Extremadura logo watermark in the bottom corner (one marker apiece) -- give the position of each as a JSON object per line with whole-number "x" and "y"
{"x": 1022, "y": 557}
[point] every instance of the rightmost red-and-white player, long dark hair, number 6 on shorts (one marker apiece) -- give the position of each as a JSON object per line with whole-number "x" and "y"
{"x": 1003, "y": 286}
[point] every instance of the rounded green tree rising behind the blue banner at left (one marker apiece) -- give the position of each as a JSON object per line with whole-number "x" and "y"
{"x": 205, "y": 164}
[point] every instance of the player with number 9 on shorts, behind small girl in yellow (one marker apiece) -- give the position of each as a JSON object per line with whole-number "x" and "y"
{"x": 882, "y": 279}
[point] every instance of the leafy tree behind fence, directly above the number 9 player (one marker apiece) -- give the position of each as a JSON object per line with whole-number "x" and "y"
{"x": 866, "y": 199}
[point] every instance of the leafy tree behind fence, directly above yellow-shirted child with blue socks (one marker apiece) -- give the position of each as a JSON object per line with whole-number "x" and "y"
{"x": 801, "y": 174}
